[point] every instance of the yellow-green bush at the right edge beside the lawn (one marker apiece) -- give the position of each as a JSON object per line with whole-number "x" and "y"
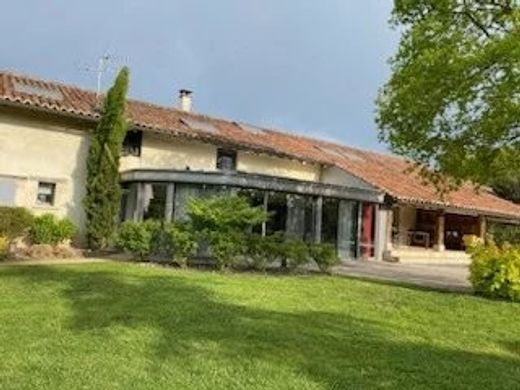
{"x": 495, "y": 271}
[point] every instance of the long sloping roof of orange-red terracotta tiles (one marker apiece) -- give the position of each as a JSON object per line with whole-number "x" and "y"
{"x": 388, "y": 173}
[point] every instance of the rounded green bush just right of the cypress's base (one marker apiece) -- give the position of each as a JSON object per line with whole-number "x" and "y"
{"x": 137, "y": 237}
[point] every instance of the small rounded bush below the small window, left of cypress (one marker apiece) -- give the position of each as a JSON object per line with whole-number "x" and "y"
{"x": 47, "y": 229}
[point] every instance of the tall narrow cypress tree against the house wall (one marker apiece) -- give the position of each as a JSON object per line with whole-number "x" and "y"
{"x": 103, "y": 192}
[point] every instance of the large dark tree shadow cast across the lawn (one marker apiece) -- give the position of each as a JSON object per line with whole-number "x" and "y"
{"x": 337, "y": 350}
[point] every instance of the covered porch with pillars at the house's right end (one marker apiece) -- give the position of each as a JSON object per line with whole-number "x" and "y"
{"x": 430, "y": 234}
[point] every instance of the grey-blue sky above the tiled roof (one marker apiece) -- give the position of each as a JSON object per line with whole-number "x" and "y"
{"x": 304, "y": 66}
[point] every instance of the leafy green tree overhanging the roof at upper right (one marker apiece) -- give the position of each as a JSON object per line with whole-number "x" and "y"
{"x": 452, "y": 103}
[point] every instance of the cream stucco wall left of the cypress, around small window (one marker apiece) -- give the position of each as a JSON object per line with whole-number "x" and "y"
{"x": 31, "y": 152}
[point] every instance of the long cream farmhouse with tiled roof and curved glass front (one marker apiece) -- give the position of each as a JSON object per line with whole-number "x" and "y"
{"x": 366, "y": 203}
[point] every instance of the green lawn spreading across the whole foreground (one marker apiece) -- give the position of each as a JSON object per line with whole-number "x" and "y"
{"x": 123, "y": 326}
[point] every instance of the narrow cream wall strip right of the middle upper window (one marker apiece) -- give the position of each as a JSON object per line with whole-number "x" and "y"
{"x": 274, "y": 166}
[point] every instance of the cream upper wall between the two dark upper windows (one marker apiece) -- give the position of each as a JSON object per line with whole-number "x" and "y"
{"x": 160, "y": 153}
